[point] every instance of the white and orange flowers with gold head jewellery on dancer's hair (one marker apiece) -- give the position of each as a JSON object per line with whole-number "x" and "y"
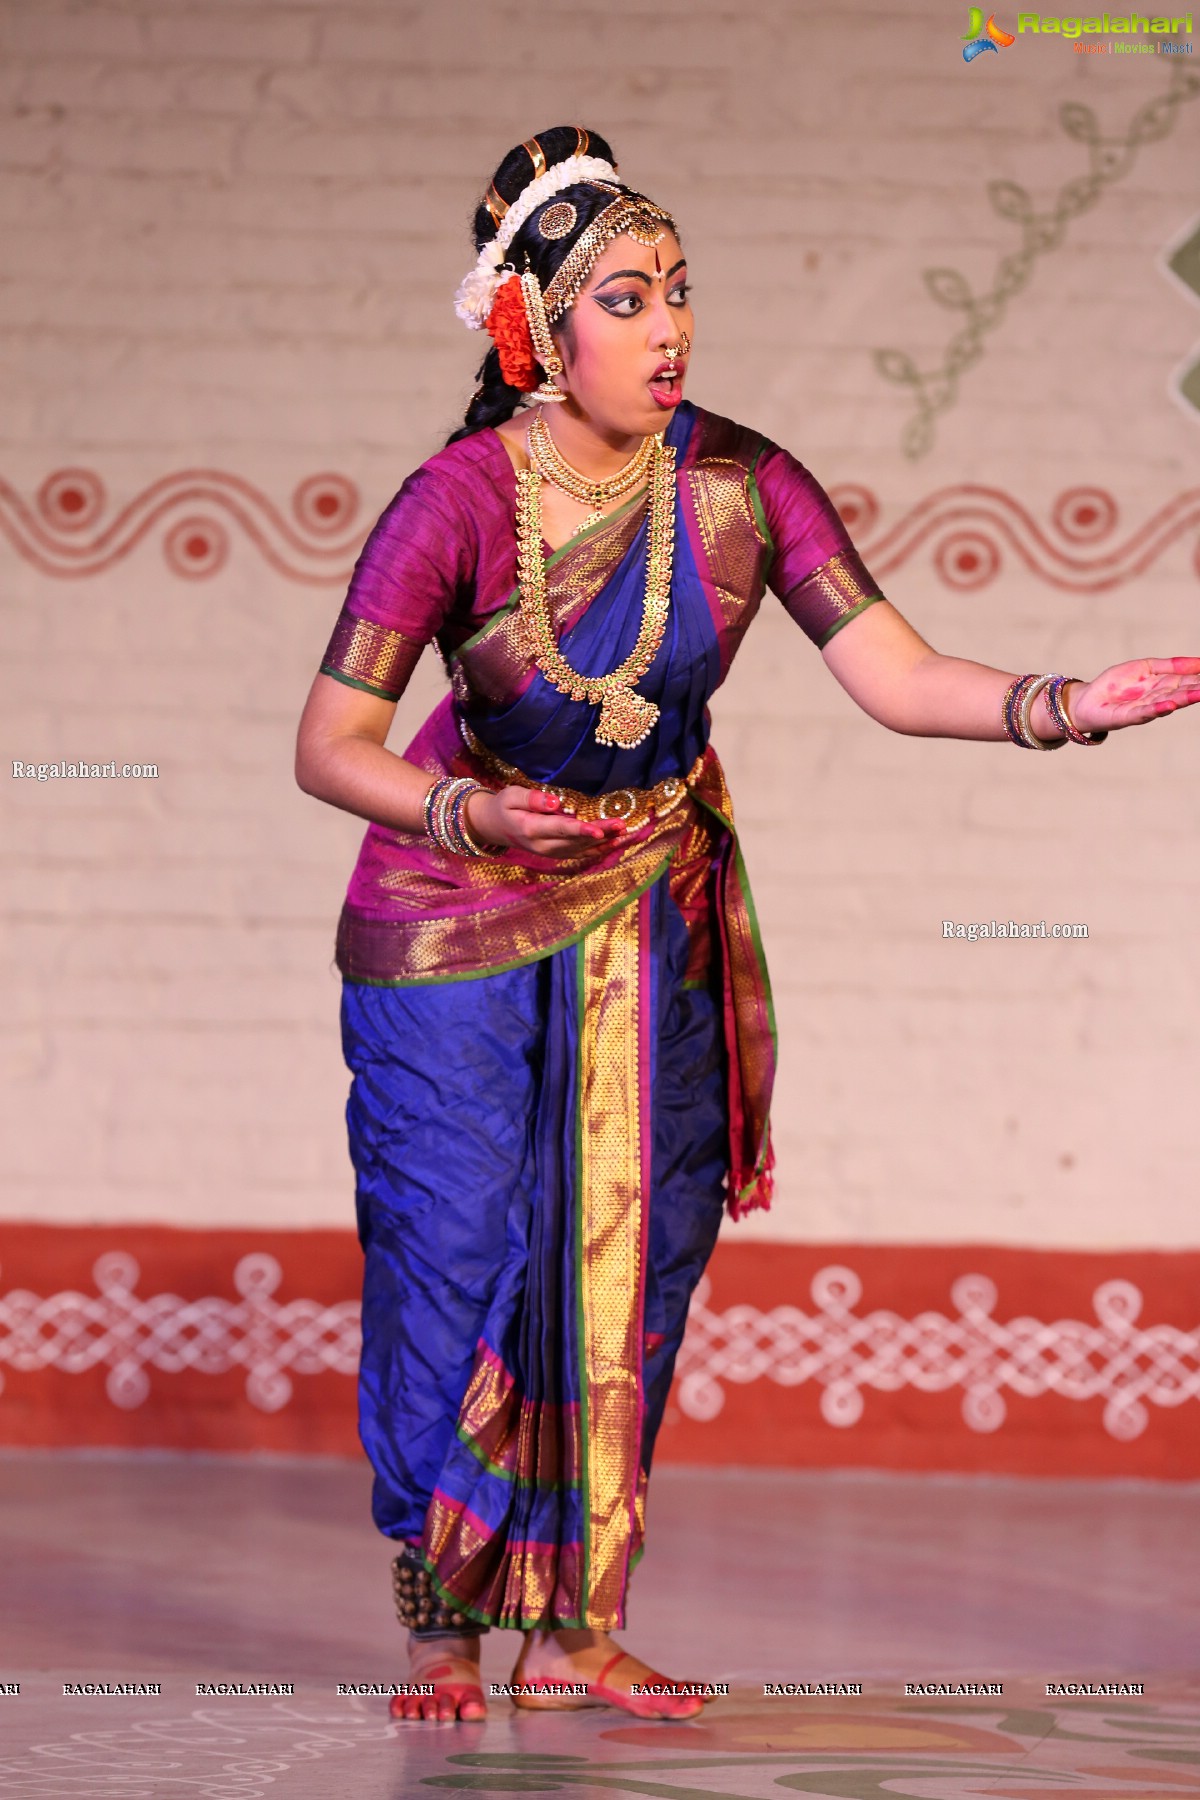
{"x": 508, "y": 303}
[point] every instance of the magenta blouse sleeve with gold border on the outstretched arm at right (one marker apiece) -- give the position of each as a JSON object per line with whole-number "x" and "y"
{"x": 816, "y": 570}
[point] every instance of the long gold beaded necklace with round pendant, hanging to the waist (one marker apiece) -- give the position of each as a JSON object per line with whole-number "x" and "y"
{"x": 625, "y": 717}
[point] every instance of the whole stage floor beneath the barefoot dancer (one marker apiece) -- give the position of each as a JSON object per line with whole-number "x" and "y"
{"x": 183, "y": 1570}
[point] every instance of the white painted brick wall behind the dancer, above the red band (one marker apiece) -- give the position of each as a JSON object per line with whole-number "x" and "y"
{"x": 231, "y": 240}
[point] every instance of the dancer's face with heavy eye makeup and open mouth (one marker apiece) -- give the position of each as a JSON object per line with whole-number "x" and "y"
{"x": 632, "y": 309}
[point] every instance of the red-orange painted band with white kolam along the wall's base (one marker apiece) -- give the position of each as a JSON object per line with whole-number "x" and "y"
{"x": 983, "y": 1358}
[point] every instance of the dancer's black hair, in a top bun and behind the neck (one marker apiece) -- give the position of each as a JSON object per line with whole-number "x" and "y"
{"x": 494, "y": 399}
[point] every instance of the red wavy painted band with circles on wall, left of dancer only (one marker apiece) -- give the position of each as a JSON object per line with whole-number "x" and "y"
{"x": 71, "y": 530}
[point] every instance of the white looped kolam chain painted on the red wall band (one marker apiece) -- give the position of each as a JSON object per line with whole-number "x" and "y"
{"x": 1131, "y": 1365}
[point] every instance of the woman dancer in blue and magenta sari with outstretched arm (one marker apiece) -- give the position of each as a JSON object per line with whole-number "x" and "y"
{"x": 555, "y": 1003}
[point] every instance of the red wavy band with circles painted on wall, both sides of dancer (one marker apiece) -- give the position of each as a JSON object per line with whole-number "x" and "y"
{"x": 969, "y": 534}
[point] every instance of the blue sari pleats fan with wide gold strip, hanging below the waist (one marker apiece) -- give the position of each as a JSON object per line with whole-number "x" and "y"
{"x": 537, "y": 1511}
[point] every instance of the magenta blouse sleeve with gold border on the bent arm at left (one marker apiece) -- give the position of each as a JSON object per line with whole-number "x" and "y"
{"x": 416, "y": 561}
